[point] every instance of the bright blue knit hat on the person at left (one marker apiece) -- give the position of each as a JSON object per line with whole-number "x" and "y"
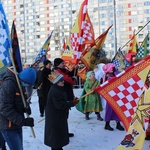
{"x": 28, "y": 75}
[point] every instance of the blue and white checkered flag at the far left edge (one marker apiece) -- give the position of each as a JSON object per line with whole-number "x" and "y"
{"x": 5, "y": 60}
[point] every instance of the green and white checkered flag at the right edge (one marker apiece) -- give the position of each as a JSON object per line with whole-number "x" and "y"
{"x": 144, "y": 48}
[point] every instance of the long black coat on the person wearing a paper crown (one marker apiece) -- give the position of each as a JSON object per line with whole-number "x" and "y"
{"x": 56, "y": 126}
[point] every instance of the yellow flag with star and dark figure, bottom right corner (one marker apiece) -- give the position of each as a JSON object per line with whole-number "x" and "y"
{"x": 135, "y": 136}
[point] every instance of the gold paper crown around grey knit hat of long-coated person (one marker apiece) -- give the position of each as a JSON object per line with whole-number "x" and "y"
{"x": 55, "y": 77}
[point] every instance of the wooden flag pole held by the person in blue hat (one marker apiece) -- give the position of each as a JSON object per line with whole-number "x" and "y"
{"x": 20, "y": 89}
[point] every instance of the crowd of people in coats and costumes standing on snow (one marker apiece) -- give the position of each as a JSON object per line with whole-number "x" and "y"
{"x": 54, "y": 85}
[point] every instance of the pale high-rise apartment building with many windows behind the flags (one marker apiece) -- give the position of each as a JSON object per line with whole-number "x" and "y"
{"x": 35, "y": 20}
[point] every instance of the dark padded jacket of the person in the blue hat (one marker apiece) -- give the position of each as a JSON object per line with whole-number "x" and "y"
{"x": 11, "y": 105}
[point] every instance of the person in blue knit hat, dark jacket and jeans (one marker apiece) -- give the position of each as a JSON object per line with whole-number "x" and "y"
{"x": 12, "y": 108}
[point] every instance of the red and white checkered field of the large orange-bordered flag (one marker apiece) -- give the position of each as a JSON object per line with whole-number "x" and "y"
{"x": 127, "y": 95}
